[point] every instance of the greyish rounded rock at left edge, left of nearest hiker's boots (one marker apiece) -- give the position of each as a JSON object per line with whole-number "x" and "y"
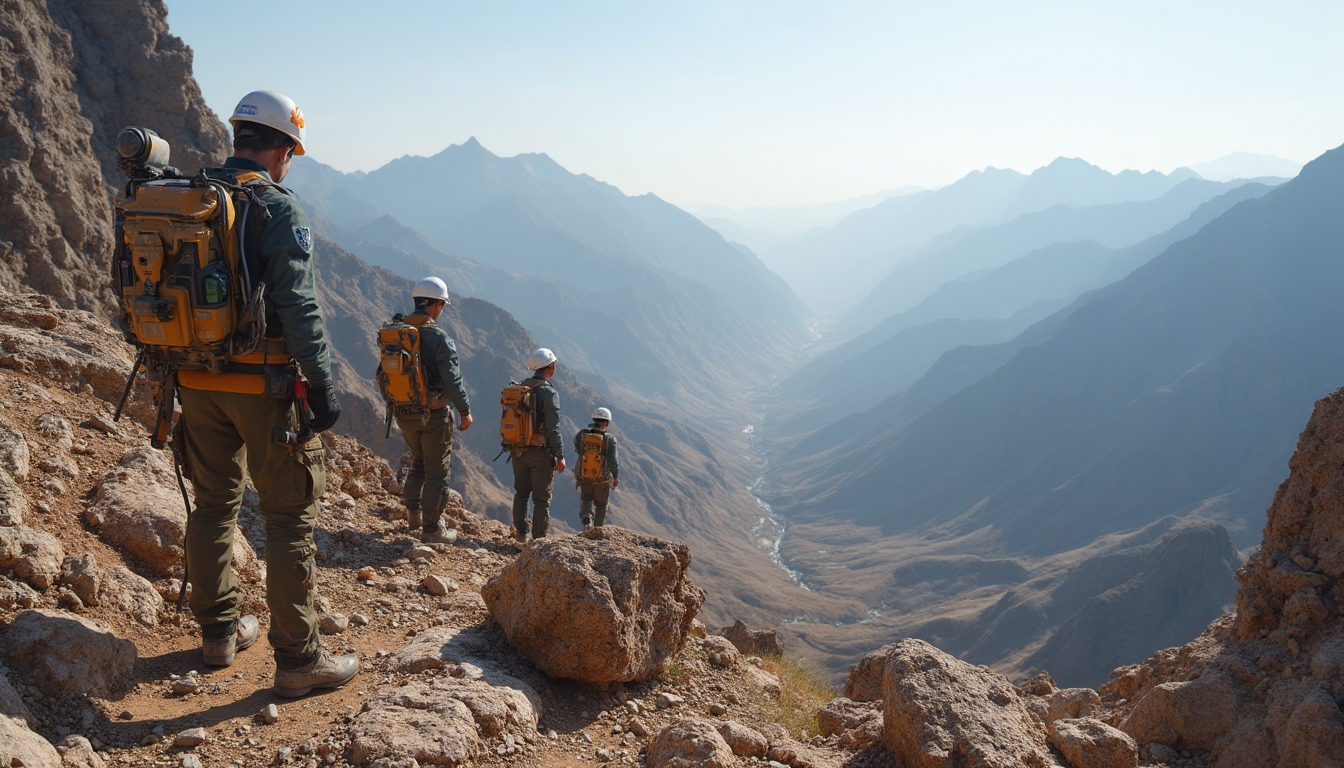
{"x": 68, "y": 654}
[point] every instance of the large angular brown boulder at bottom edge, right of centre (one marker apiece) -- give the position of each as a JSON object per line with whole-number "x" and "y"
{"x": 941, "y": 712}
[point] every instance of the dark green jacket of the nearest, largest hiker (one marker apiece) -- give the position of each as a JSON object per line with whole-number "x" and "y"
{"x": 286, "y": 264}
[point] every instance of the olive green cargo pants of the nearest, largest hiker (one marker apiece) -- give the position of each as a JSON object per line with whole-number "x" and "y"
{"x": 225, "y": 434}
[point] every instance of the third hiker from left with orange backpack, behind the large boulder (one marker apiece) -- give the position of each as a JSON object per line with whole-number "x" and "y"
{"x": 532, "y": 432}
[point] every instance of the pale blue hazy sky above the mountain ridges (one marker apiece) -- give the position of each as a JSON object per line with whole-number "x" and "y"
{"x": 775, "y": 103}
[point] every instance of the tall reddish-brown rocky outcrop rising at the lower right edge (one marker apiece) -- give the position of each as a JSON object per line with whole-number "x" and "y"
{"x": 1263, "y": 689}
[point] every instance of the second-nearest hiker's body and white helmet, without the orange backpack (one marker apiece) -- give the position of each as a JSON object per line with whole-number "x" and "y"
{"x": 428, "y": 427}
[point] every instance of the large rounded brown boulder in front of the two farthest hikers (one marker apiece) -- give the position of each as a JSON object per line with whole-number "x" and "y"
{"x": 608, "y": 605}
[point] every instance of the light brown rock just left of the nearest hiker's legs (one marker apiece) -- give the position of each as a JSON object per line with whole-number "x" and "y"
{"x": 139, "y": 509}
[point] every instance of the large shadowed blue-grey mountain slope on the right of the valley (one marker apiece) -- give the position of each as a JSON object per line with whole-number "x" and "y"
{"x": 1178, "y": 389}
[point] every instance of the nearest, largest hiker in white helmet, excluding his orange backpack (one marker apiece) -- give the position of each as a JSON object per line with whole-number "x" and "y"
{"x": 236, "y": 418}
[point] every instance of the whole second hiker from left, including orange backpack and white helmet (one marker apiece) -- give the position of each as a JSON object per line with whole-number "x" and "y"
{"x": 420, "y": 379}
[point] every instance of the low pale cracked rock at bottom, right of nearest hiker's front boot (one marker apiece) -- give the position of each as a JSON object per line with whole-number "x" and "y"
{"x": 437, "y": 722}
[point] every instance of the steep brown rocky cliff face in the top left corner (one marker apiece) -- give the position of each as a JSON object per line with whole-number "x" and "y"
{"x": 72, "y": 76}
